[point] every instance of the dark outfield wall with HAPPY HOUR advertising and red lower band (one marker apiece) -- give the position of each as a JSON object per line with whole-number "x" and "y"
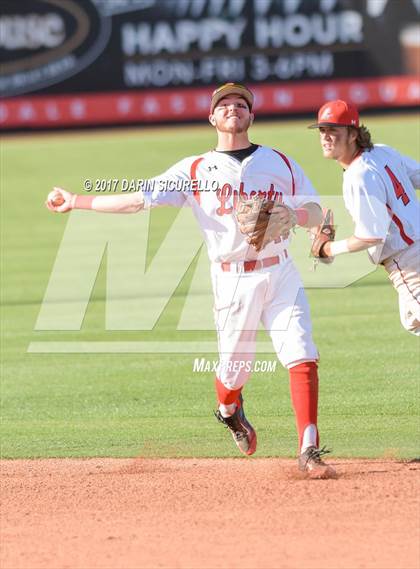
{"x": 93, "y": 62}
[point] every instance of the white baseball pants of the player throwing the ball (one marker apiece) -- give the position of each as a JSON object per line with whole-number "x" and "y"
{"x": 273, "y": 296}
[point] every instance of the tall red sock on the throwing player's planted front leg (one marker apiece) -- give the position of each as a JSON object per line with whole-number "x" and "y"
{"x": 304, "y": 393}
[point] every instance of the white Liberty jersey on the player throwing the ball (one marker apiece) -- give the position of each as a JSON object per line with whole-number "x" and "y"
{"x": 220, "y": 180}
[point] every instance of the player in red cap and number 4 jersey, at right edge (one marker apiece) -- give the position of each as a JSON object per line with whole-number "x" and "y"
{"x": 379, "y": 193}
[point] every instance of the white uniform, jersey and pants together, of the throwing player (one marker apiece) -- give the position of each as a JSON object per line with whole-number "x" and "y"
{"x": 272, "y": 295}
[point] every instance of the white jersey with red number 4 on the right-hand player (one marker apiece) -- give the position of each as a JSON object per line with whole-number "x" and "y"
{"x": 379, "y": 194}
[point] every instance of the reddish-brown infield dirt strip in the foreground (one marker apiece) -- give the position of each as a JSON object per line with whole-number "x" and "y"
{"x": 202, "y": 513}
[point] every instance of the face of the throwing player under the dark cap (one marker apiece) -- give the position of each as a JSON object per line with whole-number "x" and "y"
{"x": 232, "y": 115}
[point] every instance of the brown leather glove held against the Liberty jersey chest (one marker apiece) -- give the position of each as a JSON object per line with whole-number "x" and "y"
{"x": 264, "y": 221}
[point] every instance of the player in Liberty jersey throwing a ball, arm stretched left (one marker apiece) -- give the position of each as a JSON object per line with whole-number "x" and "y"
{"x": 258, "y": 196}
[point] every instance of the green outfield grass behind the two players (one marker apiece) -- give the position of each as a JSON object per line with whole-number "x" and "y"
{"x": 80, "y": 405}
